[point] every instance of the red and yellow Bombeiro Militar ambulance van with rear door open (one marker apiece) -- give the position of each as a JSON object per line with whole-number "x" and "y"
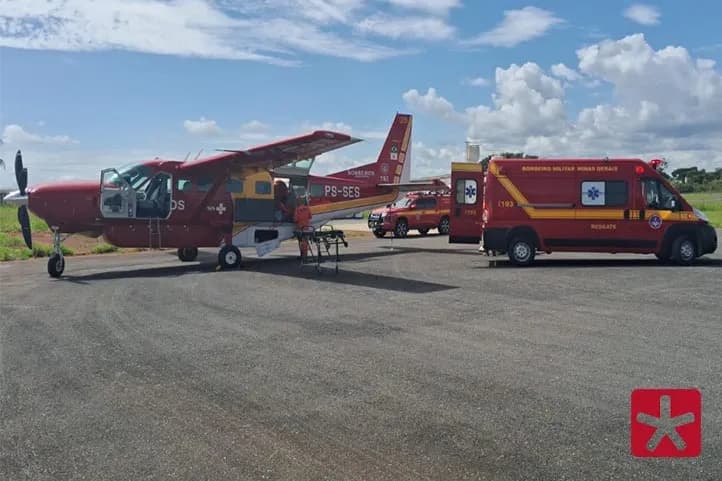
{"x": 524, "y": 206}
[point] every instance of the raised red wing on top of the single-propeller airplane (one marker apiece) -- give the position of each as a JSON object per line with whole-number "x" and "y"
{"x": 279, "y": 153}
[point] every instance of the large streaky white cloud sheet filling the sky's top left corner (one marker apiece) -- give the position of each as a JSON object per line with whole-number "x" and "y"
{"x": 272, "y": 31}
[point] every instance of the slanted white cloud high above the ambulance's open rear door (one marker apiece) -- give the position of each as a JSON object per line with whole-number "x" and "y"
{"x": 517, "y": 27}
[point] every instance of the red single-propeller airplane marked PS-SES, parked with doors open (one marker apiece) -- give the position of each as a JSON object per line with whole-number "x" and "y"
{"x": 237, "y": 198}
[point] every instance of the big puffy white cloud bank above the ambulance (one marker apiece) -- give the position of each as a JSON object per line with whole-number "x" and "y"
{"x": 666, "y": 104}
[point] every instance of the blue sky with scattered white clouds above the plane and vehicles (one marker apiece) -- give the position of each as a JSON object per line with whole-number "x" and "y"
{"x": 86, "y": 85}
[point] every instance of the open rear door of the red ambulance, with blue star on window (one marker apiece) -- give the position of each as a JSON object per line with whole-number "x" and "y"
{"x": 467, "y": 189}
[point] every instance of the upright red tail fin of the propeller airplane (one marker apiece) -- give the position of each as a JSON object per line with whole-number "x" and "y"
{"x": 393, "y": 165}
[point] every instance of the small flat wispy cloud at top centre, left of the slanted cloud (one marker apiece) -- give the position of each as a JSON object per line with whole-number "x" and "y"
{"x": 424, "y": 28}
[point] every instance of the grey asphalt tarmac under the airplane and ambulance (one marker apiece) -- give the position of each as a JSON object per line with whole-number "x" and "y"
{"x": 419, "y": 360}
